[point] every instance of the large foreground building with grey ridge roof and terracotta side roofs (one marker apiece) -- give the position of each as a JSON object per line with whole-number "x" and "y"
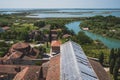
{"x": 73, "y": 64}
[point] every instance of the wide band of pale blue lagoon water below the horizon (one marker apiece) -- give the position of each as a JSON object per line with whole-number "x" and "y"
{"x": 62, "y": 13}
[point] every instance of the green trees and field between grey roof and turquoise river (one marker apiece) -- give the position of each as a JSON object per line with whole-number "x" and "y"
{"x": 92, "y": 48}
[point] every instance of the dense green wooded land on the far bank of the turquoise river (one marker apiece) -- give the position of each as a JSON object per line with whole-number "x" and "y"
{"x": 107, "y": 26}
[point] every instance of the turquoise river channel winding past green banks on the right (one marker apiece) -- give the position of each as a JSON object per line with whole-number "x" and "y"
{"x": 109, "y": 42}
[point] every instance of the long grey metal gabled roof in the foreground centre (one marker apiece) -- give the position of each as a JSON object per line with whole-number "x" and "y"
{"x": 74, "y": 63}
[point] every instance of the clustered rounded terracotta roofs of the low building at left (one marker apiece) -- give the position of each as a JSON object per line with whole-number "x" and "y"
{"x": 22, "y": 51}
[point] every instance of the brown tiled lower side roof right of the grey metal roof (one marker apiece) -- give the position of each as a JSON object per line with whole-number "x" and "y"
{"x": 99, "y": 70}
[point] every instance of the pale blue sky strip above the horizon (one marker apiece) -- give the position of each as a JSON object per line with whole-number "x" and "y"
{"x": 59, "y": 4}
